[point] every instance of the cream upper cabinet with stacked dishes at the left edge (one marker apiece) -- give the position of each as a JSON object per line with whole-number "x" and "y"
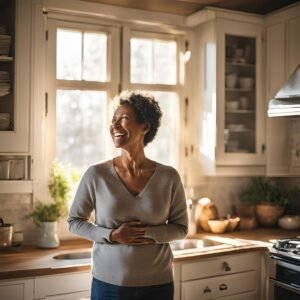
{"x": 14, "y": 105}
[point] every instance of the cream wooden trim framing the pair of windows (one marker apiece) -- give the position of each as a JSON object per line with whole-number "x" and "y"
{"x": 42, "y": 140}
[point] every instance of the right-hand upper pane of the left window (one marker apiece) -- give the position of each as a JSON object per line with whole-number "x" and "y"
{"x": 95, "y": 56}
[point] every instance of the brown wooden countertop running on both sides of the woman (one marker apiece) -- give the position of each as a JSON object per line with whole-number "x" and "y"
{"x": 29, "y": 261}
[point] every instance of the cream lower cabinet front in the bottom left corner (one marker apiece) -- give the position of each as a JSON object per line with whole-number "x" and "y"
{"x": 21, "y": 289}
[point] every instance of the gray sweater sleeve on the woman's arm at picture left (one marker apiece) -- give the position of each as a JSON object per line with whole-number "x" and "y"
{"x": 81, "y": 209}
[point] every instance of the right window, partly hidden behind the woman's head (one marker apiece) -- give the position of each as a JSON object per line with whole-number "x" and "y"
{"x": 154, "y": 66}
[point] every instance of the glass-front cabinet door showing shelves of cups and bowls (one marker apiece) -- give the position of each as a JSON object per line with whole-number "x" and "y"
{"x": 240, "y": 118}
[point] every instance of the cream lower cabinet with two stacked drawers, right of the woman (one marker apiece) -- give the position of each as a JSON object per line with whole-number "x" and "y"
{"x": 234, "y": 277}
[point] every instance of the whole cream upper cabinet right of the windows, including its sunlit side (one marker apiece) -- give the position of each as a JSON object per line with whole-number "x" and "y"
{"x": 227, "y": 108}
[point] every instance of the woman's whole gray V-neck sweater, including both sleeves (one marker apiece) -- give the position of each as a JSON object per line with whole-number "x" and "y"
{"x": 161, "y": 206}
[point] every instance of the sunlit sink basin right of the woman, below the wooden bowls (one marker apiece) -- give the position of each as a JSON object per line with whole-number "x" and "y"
{"x": 188, "y": 244}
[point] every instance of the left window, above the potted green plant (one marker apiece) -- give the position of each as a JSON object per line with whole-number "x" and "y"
{"x": 80, "y": 91}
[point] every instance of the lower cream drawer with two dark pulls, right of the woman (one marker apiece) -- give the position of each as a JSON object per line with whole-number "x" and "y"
{"x": 221, "y": 286}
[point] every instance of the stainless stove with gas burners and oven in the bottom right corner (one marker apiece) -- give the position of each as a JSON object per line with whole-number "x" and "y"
{"x": 284, "y": 270}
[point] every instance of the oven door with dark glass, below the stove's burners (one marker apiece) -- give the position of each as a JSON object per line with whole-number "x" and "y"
{"x": 284, "y": 282}
